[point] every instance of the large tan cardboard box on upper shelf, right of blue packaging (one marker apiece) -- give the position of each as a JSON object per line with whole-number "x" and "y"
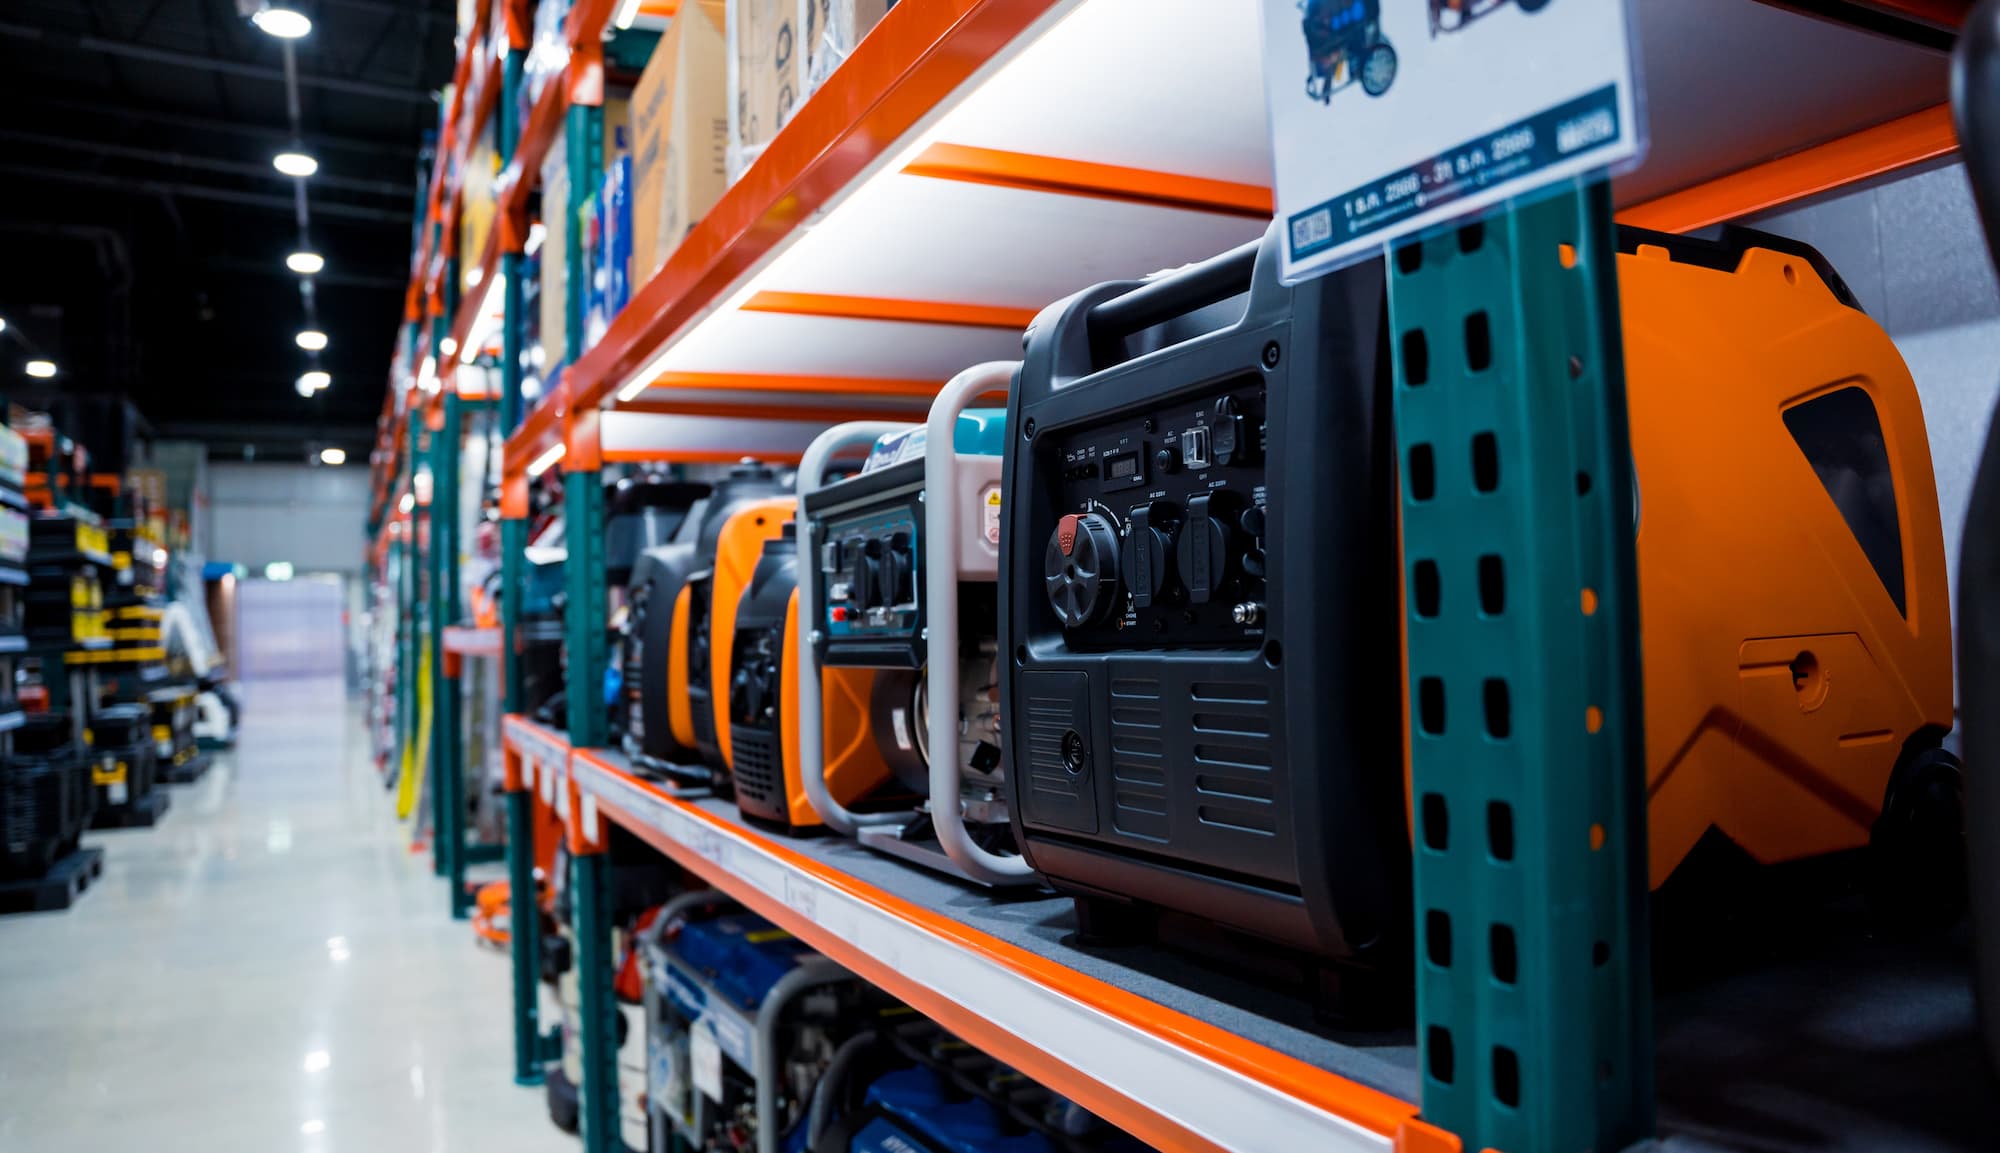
{"x": 679, "y": 135}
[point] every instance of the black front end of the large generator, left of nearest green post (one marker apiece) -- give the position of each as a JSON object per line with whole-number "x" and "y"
{"x": 1201, "y": 610}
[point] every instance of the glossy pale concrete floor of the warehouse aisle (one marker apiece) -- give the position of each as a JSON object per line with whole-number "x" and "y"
{"x": 269, "y": 970}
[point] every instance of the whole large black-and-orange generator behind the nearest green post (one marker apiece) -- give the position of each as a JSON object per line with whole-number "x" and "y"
{"x": 1797, "y": 648}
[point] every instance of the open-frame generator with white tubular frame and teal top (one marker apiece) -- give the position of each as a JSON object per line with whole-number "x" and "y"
{"x": 923, "y": 620}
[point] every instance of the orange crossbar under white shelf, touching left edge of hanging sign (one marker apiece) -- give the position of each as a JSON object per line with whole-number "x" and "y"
{"x": 1087, "y": 179}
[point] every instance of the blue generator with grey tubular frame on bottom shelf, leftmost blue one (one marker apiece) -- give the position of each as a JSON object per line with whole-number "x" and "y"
{"x": 741, "y": 1024}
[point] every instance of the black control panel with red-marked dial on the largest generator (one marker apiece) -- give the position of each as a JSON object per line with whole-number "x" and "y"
{"x": 1163, "y": 525}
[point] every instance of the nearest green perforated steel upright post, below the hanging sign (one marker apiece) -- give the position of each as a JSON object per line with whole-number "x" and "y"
{"x": 1527, "y": 752}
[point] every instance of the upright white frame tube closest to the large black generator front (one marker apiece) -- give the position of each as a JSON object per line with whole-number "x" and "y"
{"x": 941, "y": 610}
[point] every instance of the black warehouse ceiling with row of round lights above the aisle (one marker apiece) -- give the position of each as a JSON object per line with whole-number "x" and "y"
{"x": 143, "y": 229}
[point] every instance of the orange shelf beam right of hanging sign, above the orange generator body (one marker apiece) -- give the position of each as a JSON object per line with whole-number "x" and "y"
{"x": 1863, "y": 155}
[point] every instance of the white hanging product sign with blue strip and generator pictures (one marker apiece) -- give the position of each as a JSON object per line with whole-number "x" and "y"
{"x": 1391, "y": 117}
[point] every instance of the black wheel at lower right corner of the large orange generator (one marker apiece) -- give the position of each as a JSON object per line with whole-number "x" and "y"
{"x": 1917, "y": 870}
